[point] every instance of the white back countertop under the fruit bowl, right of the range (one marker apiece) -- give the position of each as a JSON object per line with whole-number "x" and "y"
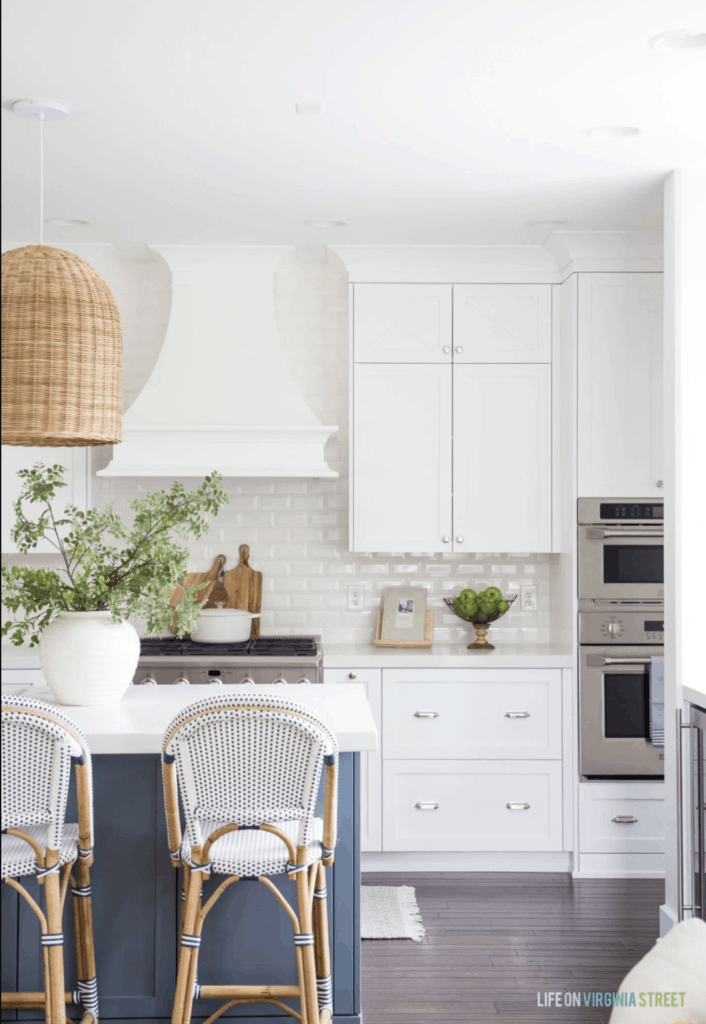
{"x": 506, "y": 656}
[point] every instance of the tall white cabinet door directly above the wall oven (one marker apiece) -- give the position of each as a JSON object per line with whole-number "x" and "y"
{"x": 620, "y": 414}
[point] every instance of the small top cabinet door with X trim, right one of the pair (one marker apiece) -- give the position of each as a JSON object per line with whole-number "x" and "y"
{"x": 503, "y": 324}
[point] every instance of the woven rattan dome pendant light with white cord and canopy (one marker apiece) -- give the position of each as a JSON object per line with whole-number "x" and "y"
{"x": 62, "y": 343}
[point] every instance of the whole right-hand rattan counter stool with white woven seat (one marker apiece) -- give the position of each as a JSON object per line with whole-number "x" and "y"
{"x": 247, "y": 769}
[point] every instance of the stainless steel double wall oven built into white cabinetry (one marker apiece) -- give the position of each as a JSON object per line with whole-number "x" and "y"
{"x": 621, "y": 628}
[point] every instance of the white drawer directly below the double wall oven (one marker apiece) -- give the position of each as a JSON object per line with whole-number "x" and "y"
{"x": 621, "y": 818}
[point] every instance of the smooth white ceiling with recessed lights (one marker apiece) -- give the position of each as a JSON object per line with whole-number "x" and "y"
{"x": 452, "y": 121}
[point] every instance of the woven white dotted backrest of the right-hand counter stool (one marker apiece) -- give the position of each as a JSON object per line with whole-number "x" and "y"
{"x": 248, "y": 759}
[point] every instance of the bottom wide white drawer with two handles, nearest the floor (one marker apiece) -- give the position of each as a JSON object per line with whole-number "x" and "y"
{"x": 472, "y": 805}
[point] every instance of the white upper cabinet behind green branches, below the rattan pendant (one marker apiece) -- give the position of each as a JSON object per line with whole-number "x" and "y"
{"x": 75, "y": 461}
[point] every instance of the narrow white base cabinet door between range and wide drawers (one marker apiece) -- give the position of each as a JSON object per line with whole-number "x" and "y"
{"x": 371, "y": 762}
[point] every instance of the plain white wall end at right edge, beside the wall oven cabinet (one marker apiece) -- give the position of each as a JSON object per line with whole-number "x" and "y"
{"x": 685, "y": 232}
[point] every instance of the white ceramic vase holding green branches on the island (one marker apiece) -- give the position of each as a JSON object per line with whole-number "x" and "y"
{"x": 89, "y": 659}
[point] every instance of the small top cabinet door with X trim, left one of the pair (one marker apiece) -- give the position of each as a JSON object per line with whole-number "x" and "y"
{"x": 402, "y": 324}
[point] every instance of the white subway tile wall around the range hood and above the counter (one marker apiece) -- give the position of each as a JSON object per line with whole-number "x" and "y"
{"x": 298, "y": 530}
